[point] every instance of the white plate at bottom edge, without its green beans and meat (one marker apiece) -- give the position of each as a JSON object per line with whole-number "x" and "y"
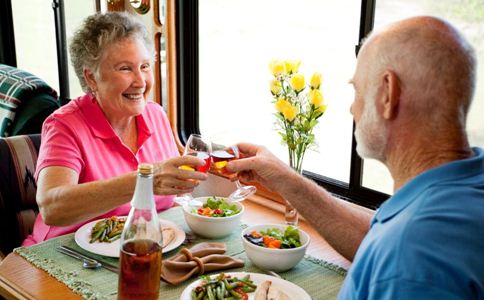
{"x": 293, "y": 291}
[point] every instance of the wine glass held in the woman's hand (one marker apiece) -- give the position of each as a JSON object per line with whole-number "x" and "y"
{"x": 200, "y": 147}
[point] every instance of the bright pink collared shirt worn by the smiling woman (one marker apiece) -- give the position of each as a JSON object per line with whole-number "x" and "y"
{"x": 78, "y": 136}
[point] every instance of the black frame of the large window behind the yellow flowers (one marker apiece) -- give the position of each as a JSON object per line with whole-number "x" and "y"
{"x": 188, "y": 99}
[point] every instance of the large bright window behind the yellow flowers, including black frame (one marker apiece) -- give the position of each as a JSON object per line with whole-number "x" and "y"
{"x": 225, "y": 48}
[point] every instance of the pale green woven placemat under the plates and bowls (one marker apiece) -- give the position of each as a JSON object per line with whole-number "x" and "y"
{"x": 320, "y": 279}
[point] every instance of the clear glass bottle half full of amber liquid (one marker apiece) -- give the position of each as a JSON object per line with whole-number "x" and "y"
{"x": 141, "y": 240}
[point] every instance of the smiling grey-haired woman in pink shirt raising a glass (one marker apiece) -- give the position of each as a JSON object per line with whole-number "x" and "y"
{"x": 92, "y": 146}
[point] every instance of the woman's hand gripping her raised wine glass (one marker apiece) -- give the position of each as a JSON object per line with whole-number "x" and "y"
{"x": 170, "y": 179}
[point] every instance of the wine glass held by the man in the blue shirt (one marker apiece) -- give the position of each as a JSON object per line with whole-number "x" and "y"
{"x": 221, "y": 154}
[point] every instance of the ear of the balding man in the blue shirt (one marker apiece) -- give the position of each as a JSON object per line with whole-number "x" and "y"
{"x": 390, "y": 95}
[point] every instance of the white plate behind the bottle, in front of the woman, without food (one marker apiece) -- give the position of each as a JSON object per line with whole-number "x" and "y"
{"x": 83, "y": 235}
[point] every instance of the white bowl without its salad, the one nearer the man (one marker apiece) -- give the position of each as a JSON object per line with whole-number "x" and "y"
{"x": 278, "y": 260}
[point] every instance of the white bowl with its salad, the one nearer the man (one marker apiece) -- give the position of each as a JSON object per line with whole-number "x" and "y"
{"x": 275, "y": 247}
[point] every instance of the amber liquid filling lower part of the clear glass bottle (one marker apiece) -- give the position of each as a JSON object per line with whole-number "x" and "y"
{"x": 140, "y": 263}
